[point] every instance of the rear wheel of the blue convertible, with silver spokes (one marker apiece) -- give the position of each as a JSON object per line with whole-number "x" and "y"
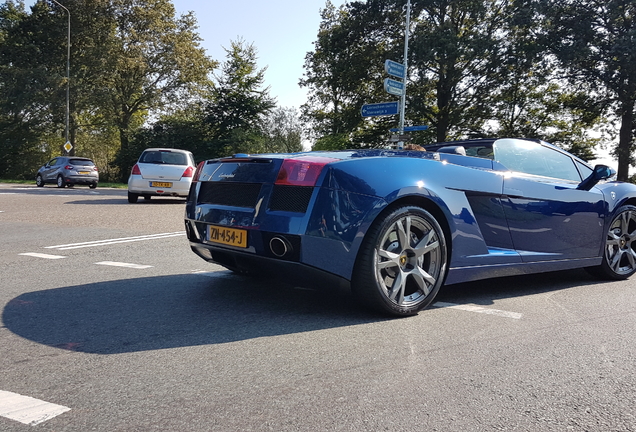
{"x": 402, "y": 262}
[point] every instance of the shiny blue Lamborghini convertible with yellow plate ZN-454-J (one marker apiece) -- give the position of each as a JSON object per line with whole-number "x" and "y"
{"x": 394, "y": 225}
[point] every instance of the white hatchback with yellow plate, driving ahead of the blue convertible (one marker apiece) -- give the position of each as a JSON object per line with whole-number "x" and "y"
{"x": 161, "y": 172}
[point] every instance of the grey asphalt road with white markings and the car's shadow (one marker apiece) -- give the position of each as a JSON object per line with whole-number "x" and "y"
{"x": 112, "y": 321}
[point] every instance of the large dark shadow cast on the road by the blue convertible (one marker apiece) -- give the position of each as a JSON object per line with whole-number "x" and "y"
{"x": 174, "y": 311}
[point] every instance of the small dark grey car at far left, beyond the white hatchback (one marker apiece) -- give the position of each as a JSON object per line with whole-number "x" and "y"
{"x": 68, "y": 171}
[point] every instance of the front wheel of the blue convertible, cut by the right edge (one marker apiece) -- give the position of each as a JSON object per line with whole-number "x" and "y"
{"x": 619, "y": 255}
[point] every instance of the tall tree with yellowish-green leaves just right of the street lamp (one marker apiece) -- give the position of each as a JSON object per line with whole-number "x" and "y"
{"x": 154, "y": 60}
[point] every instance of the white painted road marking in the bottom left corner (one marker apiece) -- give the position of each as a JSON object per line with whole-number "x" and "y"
{"x": 28, "y": 410}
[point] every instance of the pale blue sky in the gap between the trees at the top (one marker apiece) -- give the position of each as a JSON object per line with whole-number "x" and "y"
{"x": 282, "y": 31}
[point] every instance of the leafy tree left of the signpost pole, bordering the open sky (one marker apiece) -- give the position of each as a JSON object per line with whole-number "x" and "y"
{"x": 346, "y": 71}
